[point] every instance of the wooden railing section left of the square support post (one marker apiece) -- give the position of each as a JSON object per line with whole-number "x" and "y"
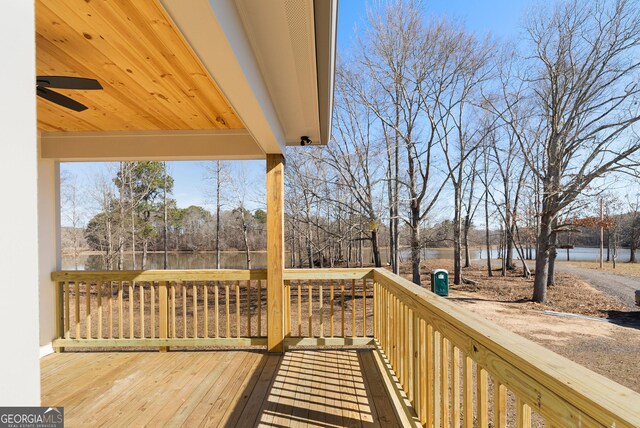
{"x": 161, "y": 308}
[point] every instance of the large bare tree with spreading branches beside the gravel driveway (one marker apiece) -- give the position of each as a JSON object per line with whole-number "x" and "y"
{"x": 581, "y": 78}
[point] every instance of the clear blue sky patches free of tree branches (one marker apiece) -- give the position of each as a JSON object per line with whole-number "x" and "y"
{"x": 502, "y": 18}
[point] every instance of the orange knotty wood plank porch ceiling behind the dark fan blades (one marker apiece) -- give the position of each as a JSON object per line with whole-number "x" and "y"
{"x": 152, "y": 79}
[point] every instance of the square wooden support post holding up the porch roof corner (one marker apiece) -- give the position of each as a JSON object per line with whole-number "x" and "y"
{"x": 275, "y": 252}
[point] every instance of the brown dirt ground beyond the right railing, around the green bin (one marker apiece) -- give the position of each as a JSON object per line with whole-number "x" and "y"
{"x": 605, "y": 339}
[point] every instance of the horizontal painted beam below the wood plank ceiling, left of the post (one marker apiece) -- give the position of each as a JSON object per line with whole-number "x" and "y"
{"x": 211, "y": 144}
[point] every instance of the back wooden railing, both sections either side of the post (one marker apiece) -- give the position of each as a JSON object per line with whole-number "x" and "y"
{"x": 210, "y": 308}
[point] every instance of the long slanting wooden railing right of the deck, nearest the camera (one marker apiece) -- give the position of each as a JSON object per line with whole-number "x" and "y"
{"x": 443, "y": 356}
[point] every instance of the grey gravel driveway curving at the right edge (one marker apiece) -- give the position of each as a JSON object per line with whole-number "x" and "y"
{"x": 621, "y": 287}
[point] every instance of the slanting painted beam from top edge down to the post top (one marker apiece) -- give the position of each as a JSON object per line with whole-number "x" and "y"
{"x": 215, "y": 32}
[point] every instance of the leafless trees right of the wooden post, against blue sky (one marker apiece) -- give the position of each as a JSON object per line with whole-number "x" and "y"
{"x": 430, "y": 117}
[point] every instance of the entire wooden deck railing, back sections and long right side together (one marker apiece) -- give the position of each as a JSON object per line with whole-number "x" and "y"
{"x": 454, "y": 368}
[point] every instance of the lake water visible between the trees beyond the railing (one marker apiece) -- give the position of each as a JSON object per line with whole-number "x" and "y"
{"x": 236, "y": 260}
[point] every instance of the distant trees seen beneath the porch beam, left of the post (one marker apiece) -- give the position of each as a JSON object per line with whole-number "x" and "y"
{"x": 136, "y": 215}
